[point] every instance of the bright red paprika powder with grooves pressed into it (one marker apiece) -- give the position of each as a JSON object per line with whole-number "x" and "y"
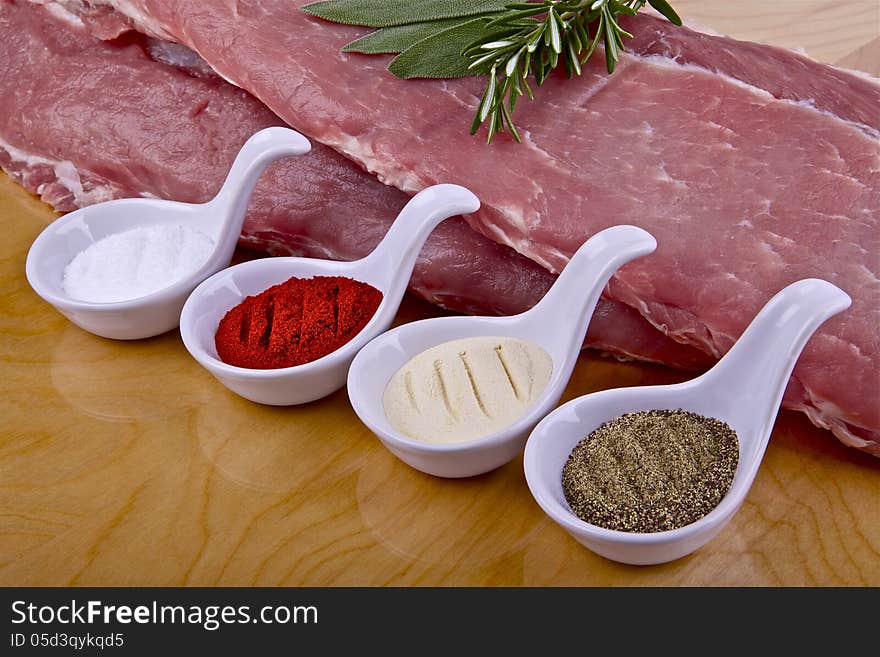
{"x": 295, "y": 322}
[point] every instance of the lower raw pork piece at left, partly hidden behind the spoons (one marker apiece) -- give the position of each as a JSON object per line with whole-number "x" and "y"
{"x": 84, "y": 121}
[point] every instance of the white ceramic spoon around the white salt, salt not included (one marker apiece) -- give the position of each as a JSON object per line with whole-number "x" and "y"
{"x": 220, "y": 219}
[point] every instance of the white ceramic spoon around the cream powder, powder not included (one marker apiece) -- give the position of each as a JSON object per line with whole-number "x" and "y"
{"x": 558, "y": 323}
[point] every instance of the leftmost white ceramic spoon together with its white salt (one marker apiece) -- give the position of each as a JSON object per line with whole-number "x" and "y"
{"x": 123, "y": 269}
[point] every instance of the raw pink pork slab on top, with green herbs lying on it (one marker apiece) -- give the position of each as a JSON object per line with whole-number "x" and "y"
{"x": 752, "y": 165}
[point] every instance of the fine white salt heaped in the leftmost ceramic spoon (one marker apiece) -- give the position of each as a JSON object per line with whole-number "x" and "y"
{"x": 135, "y": 263}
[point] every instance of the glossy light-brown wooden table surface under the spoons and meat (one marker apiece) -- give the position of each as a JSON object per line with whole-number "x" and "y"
{"x": 126, "y": 463}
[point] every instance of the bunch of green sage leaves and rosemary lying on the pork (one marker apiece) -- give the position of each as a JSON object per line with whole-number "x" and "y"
{"x": 508, "y": 42}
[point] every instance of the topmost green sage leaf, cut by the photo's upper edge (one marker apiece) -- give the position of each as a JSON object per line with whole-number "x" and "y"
{"x": 390, "y": 13}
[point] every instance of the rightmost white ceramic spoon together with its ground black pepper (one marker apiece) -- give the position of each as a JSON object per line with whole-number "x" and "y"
{"x": 637, "y": 439}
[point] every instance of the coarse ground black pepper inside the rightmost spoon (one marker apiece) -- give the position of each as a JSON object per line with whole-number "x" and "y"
{"x": 651, "y": 471}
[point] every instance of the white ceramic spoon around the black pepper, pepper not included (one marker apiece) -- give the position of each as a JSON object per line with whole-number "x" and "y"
{"x": 744, "y": 389}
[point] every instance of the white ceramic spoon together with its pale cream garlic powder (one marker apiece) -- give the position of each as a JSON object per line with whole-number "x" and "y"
{"x": 457, "y": 396}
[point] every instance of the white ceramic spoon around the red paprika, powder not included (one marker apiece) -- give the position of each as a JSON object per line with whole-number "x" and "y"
{"x": 387, "y": 268}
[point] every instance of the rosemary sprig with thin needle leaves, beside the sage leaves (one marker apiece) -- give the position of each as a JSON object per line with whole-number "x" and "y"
{"x": 531, "y": 38}
